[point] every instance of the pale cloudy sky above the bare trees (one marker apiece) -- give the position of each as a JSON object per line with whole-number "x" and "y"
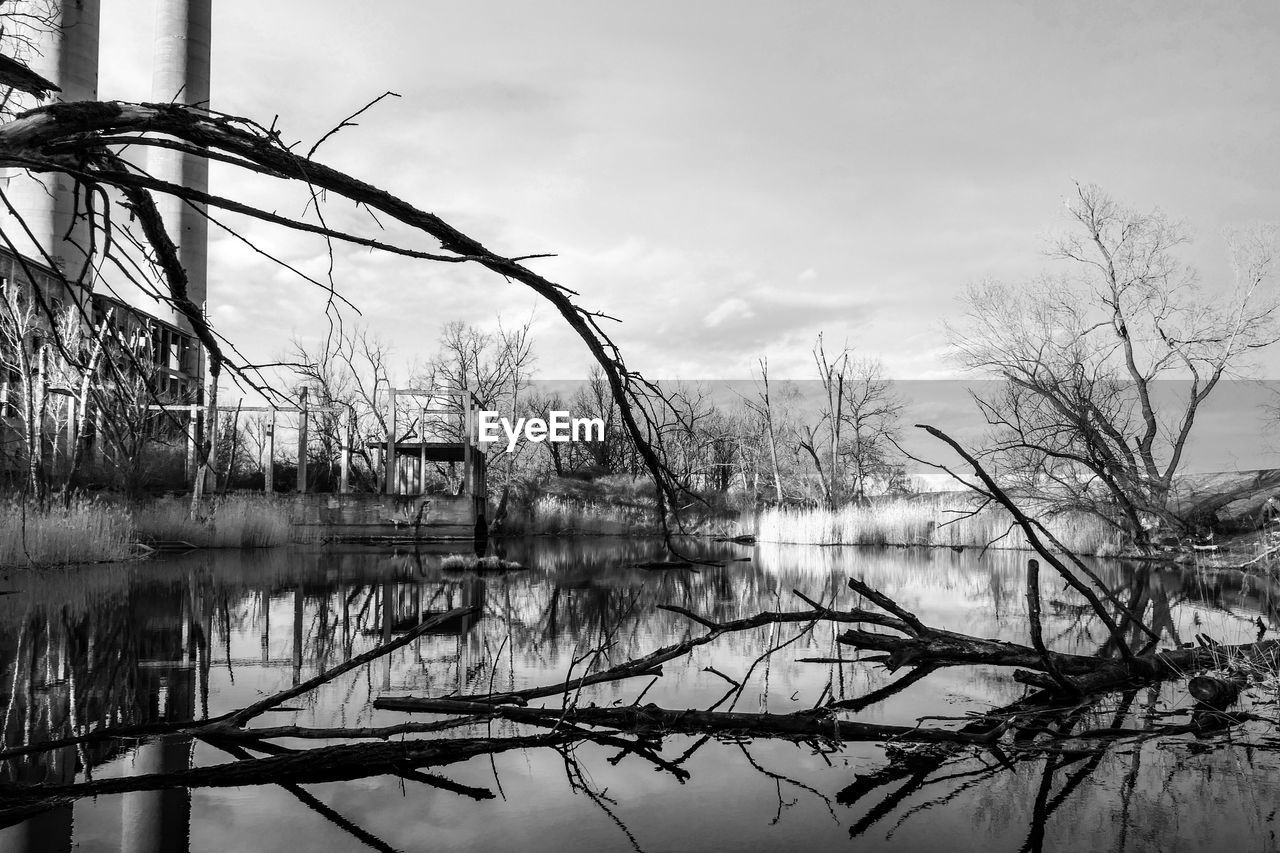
{"x": 730, "y": 179}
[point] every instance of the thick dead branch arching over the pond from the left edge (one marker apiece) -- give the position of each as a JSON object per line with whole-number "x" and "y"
{"x": 80, "y": 142}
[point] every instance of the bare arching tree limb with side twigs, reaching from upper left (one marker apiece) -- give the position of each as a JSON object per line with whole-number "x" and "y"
{"x": 94, "y": 145}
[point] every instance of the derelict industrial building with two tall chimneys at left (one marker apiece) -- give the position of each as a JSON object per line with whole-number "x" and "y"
{"x": 49, "y": 247}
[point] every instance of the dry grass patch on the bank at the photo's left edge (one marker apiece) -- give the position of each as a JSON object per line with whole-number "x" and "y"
{"x": 86, "y": 532}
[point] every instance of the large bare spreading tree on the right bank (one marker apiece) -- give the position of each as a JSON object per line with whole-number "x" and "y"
{"x": 1080, "y": 418}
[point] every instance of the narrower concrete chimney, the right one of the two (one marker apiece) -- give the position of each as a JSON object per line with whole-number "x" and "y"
{"x": 181, "y": 75}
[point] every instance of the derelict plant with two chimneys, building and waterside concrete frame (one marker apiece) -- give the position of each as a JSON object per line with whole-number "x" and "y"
{"x": 51, "y": 250}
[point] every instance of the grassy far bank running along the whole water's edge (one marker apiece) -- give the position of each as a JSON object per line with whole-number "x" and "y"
{"x": 109, "y": 530}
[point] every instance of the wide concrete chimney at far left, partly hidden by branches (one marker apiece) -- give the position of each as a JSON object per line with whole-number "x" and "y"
{"x": 66, "y": 54}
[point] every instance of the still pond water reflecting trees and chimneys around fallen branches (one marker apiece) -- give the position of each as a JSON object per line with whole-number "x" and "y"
{"x": 198, "y": 636}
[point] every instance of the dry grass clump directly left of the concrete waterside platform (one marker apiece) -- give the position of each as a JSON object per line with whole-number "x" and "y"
{"x": 237, "y": 522}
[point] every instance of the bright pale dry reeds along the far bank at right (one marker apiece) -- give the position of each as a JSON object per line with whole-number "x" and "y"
{"x": 930, "y": 522}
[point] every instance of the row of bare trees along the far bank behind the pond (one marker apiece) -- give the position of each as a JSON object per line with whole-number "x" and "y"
{"x": 765, "y": 443}
